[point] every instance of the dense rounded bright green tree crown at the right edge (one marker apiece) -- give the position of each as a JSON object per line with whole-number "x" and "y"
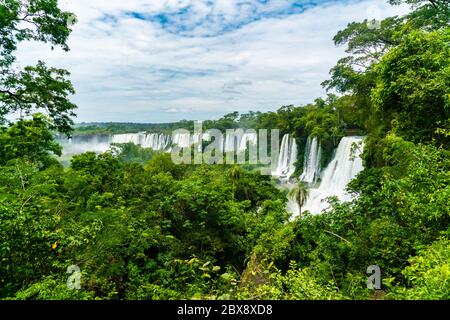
{"x": 412, "y": 92}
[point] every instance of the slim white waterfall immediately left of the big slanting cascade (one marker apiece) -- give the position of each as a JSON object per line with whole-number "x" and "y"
{"x": 311, "y": 162}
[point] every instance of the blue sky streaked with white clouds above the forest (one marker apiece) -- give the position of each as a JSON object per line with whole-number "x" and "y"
{"x": 168, "y": 60}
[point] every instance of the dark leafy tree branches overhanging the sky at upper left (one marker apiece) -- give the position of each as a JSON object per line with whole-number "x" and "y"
{"x": 36, "y": 88}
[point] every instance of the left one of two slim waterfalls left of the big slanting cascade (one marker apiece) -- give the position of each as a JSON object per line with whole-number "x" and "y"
{"x": 287, "y": 158}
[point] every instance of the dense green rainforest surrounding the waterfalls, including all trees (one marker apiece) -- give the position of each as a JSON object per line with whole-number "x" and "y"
{"x": 140, "y": 227}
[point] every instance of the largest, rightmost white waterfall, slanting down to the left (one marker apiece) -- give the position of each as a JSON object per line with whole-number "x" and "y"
{"x": 345, "y": 165}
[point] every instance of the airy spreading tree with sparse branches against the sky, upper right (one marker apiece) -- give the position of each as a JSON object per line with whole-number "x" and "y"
{"x": 366, "y": 45}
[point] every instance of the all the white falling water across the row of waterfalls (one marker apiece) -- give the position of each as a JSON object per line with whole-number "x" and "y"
{"x": 334, "y": 179}
